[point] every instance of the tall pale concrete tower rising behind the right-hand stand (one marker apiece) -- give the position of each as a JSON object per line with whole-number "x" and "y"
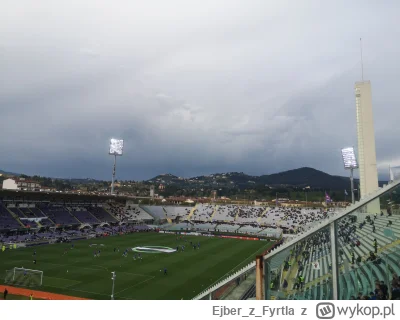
{"x": 366, "y": 143}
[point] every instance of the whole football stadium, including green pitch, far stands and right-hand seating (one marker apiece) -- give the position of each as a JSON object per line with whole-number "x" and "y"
{"x": 71, "y": 245}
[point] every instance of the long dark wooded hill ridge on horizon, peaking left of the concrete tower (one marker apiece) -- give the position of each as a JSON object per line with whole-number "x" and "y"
{"x": 301, "y": 177}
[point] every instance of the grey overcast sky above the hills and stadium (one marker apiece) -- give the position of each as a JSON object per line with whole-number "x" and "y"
{"x": 193, "y": 87}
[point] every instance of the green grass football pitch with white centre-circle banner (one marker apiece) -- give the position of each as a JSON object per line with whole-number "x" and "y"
{"x": 78, "y": 273}
